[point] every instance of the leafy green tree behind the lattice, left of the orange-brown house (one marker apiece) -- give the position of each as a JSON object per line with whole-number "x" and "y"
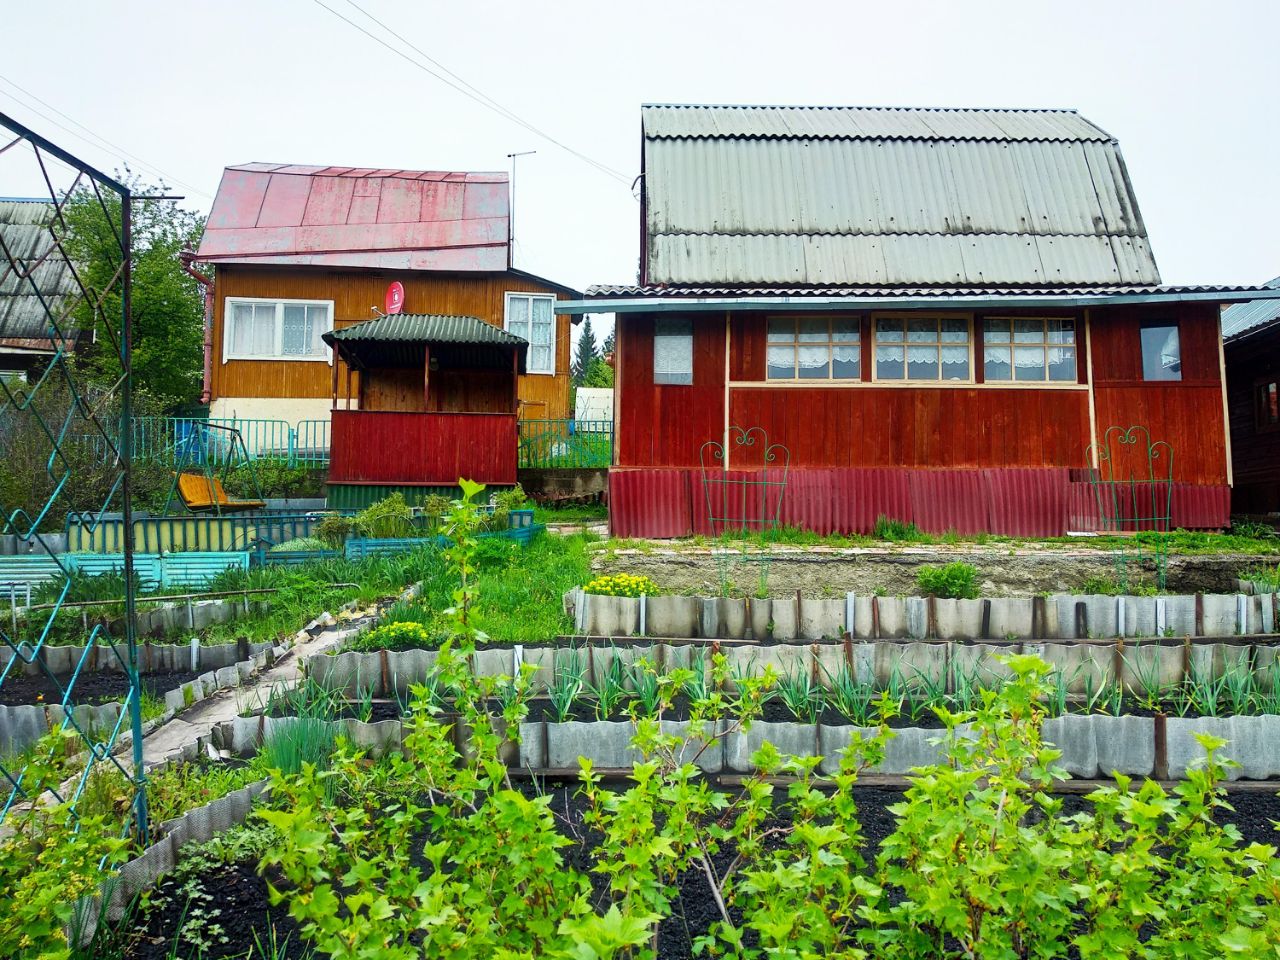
{"x": 168, "y": 307}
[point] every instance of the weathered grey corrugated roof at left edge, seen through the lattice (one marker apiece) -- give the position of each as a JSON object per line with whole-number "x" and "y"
{"x": 40, "y": 268}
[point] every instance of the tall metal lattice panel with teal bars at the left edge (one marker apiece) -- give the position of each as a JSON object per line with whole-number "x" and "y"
{"x": 84, "y": 323}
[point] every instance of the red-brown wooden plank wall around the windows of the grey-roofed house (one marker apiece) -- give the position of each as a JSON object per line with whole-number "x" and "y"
{"x": 866, "y": 424}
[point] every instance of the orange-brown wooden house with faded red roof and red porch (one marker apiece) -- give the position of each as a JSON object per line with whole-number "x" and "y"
{"x": 305, "y": 254}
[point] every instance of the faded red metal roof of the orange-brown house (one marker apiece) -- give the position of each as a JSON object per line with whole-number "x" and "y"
{"x": 364, "y": 218}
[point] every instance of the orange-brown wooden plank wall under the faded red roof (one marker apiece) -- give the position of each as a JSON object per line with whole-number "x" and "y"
{"x": 354, "y": 294}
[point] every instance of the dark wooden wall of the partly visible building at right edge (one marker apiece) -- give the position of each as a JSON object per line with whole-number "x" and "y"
{"x": 1255, "y": 452}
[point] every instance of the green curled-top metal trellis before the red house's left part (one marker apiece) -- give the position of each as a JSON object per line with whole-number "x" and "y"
{"x": 744, "y": 501}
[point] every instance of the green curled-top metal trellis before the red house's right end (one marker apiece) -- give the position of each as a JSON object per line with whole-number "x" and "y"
{"x": 1133, "y": 491}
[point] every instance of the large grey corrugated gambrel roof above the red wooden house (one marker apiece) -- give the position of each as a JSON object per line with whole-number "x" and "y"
{"x": 749, "y": 196}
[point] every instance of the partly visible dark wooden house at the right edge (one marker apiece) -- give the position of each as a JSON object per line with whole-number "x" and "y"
{"x": 1251, "y": 342}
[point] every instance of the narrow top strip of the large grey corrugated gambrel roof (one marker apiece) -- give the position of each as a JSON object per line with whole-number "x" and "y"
{"x": 866, "y": 122}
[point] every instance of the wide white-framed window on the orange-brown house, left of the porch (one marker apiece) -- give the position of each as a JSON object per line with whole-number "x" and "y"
{"x": 277, "y": 330}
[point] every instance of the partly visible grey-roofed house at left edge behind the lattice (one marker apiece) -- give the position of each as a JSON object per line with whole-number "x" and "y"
{"x": 36, "y": 299}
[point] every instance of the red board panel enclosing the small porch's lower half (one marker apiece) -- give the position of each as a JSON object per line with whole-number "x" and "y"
{"x": 423, "y": 449}
